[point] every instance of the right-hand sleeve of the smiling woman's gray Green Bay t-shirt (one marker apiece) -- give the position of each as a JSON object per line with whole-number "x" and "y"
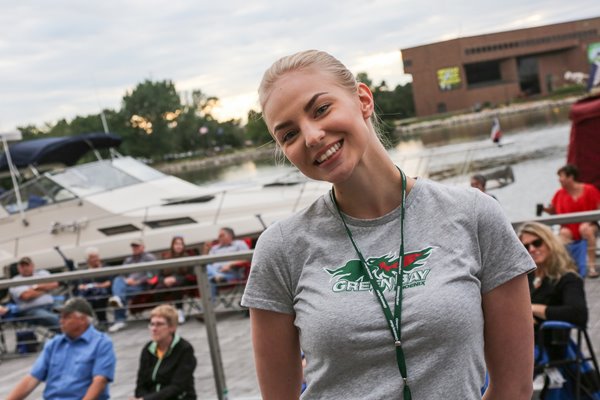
{"x": 503, "y": 257}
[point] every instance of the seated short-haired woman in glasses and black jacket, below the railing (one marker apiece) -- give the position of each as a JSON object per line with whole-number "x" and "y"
{"x": 167, "y": 362}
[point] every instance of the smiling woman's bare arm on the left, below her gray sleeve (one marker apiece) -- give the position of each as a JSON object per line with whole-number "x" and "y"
{"x": 276, "y": 354}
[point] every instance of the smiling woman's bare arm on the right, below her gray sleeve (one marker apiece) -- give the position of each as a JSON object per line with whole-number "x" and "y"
{"x": 509, "y": 340}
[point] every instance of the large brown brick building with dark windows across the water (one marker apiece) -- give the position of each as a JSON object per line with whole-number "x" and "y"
{"x": 499, "y": 67}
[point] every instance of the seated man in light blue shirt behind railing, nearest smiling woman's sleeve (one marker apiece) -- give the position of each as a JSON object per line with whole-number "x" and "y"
{"x": 224, "y": 271}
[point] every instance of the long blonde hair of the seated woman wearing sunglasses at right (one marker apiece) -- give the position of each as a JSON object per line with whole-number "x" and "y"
{"x": 559, "y": 262}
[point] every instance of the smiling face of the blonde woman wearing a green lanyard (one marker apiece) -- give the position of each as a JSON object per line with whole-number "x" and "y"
{"x": 322, "y": 128}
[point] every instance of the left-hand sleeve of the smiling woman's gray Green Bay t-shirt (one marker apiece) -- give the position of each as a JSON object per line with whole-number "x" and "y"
{"x": 270, "y": 284}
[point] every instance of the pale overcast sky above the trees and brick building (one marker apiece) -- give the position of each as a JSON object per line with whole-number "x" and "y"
{"x": 63, "y": 58}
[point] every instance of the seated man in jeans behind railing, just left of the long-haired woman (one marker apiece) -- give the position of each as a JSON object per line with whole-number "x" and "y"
{"x": 124, "y": 287}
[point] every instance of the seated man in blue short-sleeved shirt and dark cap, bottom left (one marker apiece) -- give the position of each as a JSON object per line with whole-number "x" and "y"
{"x": 77, "y": 364}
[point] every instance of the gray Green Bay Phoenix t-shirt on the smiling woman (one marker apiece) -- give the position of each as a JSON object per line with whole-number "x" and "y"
{"x": 458, "y": 245}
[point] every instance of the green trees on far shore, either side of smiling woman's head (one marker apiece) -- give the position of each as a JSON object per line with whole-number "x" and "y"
{"x": 156, "y": 123}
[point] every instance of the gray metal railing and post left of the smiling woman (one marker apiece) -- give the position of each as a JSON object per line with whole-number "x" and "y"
{"x": 198, "y": 262}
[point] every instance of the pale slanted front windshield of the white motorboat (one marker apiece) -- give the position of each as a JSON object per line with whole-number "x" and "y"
{"x": 105, "y": 175}
